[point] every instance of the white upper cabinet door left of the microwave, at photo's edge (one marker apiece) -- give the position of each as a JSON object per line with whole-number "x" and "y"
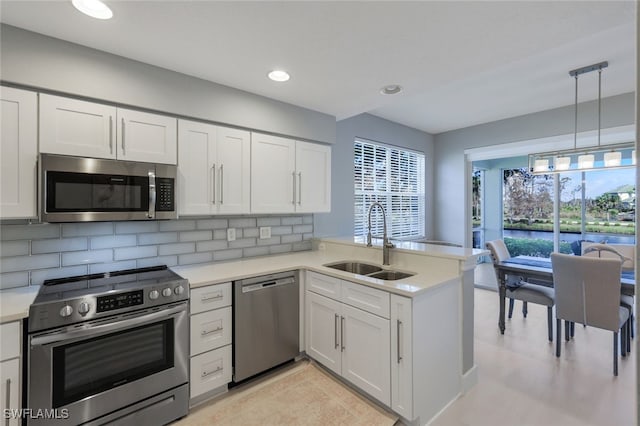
{"x": 18, "y": 153}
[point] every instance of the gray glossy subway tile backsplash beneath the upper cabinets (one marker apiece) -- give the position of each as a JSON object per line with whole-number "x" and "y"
{"x": 30, "y": 254}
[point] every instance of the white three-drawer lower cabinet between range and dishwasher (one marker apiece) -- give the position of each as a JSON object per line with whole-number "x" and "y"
{"x": 211, "y": 337}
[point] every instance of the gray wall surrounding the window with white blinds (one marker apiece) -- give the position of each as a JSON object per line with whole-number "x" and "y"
{"x": 340, "y": 221}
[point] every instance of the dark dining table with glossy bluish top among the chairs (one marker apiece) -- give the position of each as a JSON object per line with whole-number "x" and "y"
{"x": 538, "y": 271}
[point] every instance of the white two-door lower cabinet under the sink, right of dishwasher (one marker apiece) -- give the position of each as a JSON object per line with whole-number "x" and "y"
{"x": 350, "y": 341}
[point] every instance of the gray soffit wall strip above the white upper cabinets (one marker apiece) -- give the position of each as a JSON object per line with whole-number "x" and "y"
{"x": 50, "y": 64}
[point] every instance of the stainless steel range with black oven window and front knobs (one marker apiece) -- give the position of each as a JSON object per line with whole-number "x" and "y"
{"x": 110, "y": 349}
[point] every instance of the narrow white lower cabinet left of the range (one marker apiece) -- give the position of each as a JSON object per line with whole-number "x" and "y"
{"x": 10, "y": 372}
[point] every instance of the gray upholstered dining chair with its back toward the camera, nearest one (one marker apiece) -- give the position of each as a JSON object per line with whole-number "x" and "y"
{"x": 588, "y": 292}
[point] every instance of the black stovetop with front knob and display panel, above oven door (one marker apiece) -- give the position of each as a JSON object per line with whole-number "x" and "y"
{"x": 82, "y": 298}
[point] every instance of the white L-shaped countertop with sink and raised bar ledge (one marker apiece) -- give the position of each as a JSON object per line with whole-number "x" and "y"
{"x": 425, "y": 277}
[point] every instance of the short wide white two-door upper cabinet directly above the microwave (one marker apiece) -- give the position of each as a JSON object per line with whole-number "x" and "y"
{"x": 87, "y": 129}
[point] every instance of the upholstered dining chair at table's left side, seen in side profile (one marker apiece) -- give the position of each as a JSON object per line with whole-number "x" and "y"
{"x": 517, "y": 289}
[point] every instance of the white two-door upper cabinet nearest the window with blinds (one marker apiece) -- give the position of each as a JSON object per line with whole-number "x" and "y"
{"x": 289, "y": 176}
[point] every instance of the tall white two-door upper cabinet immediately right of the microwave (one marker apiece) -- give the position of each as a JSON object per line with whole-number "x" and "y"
{"x": 214, "y": 169}
